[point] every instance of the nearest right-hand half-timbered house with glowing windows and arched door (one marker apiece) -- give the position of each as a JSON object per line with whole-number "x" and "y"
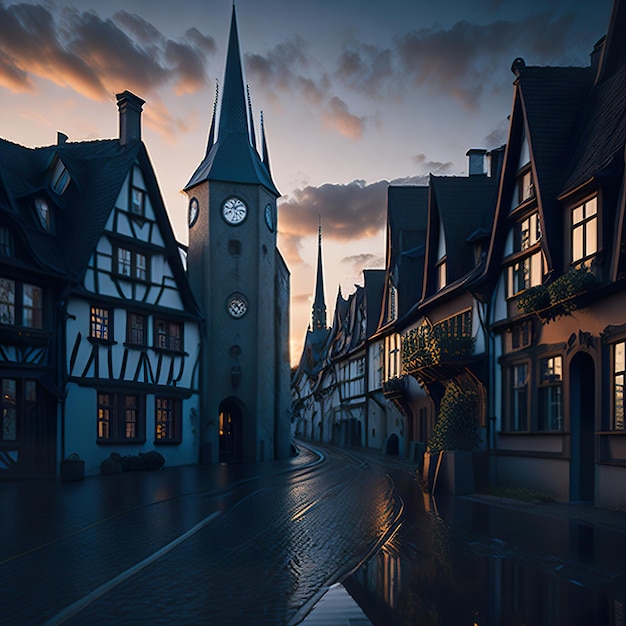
{"x": 556, "y": 272}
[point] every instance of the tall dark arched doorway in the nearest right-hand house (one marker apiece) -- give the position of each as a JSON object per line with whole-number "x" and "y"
{"x": 582, "y": 403}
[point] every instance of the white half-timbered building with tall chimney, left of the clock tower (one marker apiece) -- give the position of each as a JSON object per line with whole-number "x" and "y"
{"x": 99, "y": 326}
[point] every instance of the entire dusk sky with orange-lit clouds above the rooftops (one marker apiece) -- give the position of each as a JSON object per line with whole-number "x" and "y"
{"x": 356, "y": 95}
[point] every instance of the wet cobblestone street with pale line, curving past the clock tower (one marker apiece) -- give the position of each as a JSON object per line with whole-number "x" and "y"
{"x": 225, "y": 544}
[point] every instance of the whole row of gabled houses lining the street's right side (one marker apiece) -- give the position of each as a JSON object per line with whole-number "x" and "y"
{"x": 505, "y": 286}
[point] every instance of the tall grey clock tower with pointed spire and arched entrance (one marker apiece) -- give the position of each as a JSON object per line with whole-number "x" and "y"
{"x": 242, "y": 284}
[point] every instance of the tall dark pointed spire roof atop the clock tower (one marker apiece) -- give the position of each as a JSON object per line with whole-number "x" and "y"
{"x": 233, "y": 158}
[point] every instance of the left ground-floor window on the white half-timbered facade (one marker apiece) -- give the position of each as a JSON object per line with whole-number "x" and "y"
{"x": 117, "y": 406}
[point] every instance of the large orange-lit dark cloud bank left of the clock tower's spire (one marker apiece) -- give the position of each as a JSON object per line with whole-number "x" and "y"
{"x": 96, "y": 57}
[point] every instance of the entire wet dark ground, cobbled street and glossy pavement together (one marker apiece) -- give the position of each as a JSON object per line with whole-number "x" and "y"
{"x": 263, "y": 544}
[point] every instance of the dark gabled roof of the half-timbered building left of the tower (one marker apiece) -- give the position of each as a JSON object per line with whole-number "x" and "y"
{"x": 98, "y": 170}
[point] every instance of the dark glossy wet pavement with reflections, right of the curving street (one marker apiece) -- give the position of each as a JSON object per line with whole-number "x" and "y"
{"x": 456, "y": 561}
